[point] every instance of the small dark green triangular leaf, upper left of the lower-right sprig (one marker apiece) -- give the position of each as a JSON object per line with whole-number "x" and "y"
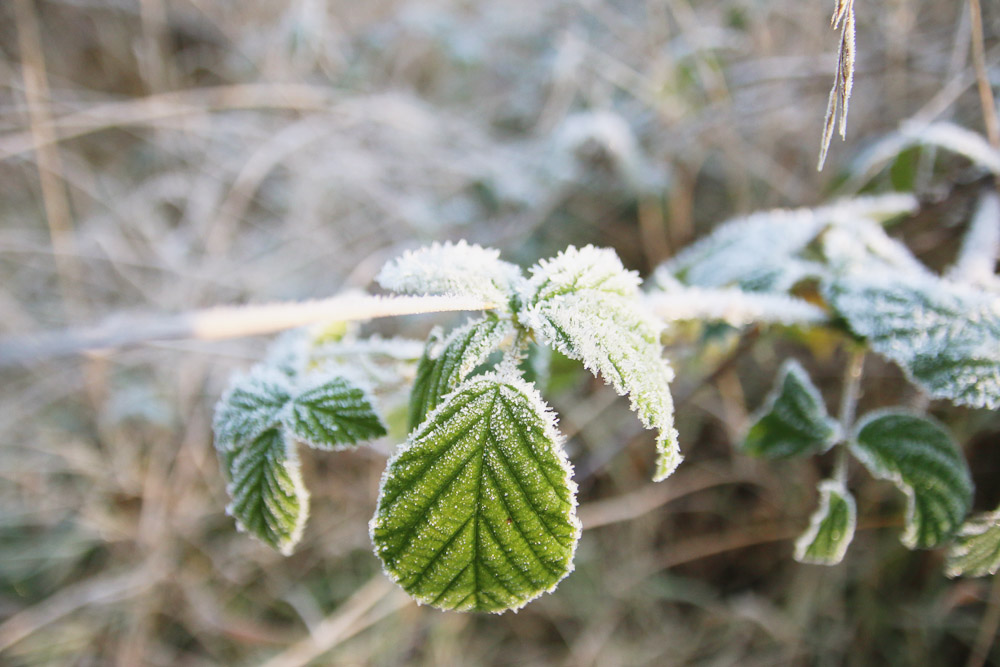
{"x": 793, "y": 421}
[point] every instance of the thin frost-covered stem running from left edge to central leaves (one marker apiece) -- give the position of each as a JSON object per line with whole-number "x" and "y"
{"x": 224, "y": 322}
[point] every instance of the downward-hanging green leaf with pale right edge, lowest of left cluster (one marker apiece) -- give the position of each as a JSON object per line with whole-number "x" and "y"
{"x": 268, "y": 497}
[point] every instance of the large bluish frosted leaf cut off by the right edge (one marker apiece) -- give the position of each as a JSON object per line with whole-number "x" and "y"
{"x": 946, "y": 336}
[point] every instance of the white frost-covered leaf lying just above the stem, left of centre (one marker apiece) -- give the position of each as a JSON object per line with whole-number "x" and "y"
{"x": 453, "y": 269}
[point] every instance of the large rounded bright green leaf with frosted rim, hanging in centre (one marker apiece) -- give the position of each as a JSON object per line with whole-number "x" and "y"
{"x": 477, "y": 509}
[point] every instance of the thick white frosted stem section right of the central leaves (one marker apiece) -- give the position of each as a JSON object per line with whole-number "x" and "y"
{"x": 733, "y": 306}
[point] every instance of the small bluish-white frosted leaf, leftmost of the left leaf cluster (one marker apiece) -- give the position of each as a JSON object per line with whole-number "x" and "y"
{"x": 252, "y": 404}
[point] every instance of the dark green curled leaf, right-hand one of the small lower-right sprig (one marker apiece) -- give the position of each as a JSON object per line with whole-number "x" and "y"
{"x": 919, "y": 457}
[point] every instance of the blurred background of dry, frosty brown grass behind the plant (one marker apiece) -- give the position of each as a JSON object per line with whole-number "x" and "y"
{"x": 158, "y": 156}
